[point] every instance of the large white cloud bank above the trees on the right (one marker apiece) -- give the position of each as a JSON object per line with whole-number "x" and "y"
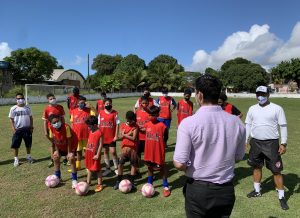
{"x": 258, "y": 45}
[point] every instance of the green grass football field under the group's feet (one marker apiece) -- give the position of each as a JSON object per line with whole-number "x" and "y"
{"x": 24, "y": 194}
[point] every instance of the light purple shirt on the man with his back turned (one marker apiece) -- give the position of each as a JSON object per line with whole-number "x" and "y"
{"x": 212, "y": 140}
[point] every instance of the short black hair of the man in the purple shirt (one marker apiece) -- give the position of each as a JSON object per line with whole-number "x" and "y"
{"x": 210, "y": 87}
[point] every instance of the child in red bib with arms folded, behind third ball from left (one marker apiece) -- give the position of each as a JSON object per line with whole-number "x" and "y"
{"x": 129, "y": 136}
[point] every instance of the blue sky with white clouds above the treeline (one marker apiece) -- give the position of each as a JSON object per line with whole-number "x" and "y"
{"x": 197, "y": 33}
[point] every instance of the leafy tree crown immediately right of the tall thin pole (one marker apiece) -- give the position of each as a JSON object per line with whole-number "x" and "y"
{"x": 106, "y": 64}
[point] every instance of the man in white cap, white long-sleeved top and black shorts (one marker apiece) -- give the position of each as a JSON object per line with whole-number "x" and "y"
{"x": 262, "y": 125}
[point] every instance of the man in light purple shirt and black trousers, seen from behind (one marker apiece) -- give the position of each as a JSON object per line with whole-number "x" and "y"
{"x": 208, "y": 145}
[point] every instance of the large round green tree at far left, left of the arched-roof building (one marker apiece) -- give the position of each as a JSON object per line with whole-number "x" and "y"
{"x": 31, "y": 65}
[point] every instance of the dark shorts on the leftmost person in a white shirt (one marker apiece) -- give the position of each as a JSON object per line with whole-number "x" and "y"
{"x": 20, "y": 134}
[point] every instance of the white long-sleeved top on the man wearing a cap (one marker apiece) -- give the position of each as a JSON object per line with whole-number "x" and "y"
{"x": 264, "y": 121}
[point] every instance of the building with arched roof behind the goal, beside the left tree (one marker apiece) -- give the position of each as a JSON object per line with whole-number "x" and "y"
{"x": 67, "y": 77}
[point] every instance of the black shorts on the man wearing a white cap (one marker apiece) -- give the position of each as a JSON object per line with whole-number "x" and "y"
{"x": 265, "y": 151}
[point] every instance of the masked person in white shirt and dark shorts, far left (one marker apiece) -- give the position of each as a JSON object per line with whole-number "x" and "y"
{"x": 22, "y": 125}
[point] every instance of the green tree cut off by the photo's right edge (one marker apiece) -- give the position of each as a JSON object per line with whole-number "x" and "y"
{"x": 286, "y": 71}
